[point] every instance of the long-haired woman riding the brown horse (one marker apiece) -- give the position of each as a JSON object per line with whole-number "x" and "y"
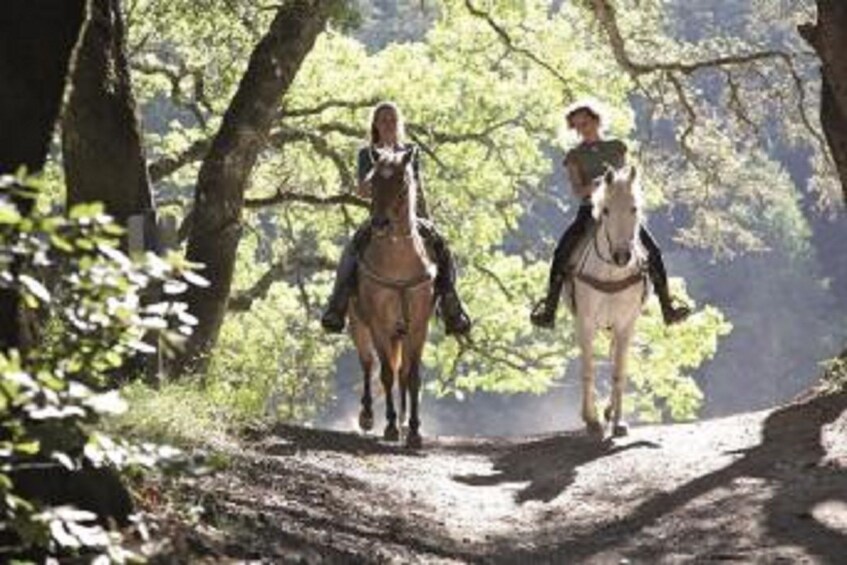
{"x": 387, "y": 132}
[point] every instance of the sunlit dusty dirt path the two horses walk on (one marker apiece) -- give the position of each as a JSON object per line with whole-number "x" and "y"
{"x": 763, "y": 487}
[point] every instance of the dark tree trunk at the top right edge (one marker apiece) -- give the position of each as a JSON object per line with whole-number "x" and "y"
{"x": 829, "y": 39}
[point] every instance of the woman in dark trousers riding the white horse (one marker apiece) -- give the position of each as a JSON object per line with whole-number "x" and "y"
{"x": 587, "y": 161}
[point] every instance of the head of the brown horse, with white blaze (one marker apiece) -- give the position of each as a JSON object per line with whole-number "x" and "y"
{"x": 393, "y": 190}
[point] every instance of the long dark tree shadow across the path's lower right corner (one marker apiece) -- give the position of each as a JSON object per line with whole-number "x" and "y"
{"x": 791, "y": 441}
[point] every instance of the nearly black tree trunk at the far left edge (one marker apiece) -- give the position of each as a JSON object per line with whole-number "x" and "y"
{"x": 37, "y": 38}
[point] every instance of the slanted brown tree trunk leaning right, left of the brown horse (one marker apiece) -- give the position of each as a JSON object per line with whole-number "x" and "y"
{"x": 219, "y": 196}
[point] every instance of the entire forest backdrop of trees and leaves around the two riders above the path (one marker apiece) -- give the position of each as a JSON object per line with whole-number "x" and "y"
{"x": 241, "y": 121}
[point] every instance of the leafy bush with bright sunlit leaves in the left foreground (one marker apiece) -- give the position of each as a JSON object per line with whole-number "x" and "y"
{"x": 94, "y": 315}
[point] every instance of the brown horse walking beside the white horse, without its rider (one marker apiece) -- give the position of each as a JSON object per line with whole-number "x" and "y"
{"x": 394, "y": 300}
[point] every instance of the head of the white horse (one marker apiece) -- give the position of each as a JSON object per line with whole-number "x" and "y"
{"x": 617, "y": 207}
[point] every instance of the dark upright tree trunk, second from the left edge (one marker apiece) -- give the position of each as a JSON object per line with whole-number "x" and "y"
{"x": 101, "y": 139}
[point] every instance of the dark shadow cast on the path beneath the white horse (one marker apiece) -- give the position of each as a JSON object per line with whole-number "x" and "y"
{"x": 549, "y": 464}
